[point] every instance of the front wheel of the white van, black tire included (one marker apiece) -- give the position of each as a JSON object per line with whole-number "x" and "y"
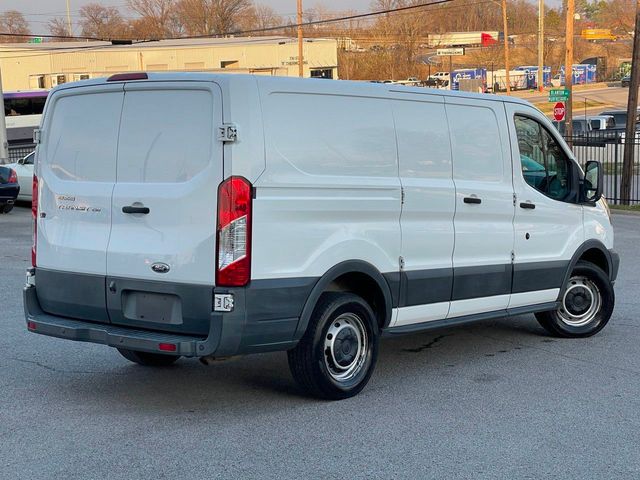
{"x": 583, "y": 277}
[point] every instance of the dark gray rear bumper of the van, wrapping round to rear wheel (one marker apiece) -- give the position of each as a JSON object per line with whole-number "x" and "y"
{"x": 264, "y": 319}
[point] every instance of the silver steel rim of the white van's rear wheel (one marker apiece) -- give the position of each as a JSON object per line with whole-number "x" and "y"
{"x": 346, "y": 347}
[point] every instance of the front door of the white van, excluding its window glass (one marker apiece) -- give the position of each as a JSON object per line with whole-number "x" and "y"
{"x": 545, "y": 237}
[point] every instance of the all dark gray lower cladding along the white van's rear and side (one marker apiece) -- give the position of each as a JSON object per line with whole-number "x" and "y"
{"x": 139, "y": 315}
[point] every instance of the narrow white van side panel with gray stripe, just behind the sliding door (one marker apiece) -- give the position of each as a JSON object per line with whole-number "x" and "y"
{"x": 424, "y": 154}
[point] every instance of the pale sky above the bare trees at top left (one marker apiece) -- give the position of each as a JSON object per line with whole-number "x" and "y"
{"x": 39, "y": 12}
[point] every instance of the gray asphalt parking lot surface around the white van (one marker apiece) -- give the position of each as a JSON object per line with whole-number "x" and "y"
{"x": 498, "y": 399}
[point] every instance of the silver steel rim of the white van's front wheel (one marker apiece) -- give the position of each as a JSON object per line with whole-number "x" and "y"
{"x": 581, "y": 302}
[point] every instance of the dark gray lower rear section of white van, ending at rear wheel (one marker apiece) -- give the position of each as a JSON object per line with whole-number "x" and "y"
{"x": 140, "y": 314}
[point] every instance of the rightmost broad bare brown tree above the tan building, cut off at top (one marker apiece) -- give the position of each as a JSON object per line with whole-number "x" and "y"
{"x": 212, "y": 17}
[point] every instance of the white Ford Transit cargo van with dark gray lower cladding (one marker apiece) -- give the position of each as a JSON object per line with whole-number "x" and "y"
{"x": 207, "y": 216}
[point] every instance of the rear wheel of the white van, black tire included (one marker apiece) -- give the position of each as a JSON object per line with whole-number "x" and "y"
{"x": 356, "y": 341}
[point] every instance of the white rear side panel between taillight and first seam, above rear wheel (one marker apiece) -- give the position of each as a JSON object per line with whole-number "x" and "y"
{"x": 330, "y": 191}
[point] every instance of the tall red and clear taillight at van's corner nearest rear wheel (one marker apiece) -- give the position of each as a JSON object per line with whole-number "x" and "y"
{"x": 233, "y": 235}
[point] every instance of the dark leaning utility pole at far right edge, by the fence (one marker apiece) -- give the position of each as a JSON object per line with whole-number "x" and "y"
{"x": 632, "y": 107}
